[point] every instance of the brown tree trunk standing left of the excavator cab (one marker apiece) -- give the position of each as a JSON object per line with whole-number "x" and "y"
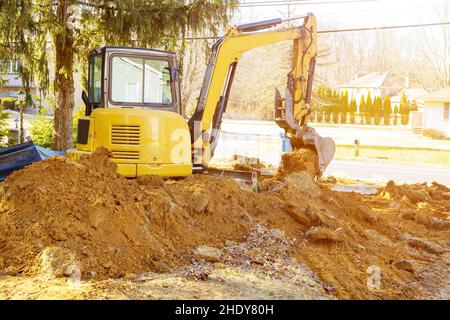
{"x": 64, "y": 84}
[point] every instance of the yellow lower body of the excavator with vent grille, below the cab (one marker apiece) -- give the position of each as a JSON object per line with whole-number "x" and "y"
{"x": 142, "y": 141}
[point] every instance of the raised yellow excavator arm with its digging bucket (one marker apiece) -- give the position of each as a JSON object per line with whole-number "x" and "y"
{"x": 290, "y": 113}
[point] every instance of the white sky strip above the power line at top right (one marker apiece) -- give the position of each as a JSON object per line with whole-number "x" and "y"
{"x": 345, "y": 13}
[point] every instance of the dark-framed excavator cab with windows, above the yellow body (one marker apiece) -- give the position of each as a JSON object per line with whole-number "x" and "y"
{"x": 121, "y": 77}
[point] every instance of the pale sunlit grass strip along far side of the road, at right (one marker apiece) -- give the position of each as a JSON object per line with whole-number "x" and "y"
{"x": 411, "y": 156}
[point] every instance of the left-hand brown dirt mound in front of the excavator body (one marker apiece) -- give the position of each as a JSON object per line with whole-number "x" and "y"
{"x": 109, "y": 226}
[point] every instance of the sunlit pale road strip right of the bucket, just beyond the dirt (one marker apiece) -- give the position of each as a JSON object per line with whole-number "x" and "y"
{"x": 386, "y": 171}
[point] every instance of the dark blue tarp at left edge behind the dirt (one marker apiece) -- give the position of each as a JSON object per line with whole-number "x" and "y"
{"x": 18, "y": 156}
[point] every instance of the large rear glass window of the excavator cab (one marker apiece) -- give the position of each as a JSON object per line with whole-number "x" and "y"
{"x": 141, "y": 81}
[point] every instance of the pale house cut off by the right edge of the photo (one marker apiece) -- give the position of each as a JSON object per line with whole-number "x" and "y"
{"x": 436, "y": 111}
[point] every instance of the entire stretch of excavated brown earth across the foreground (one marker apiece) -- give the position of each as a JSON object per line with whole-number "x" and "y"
{"x": 59, "y": 217}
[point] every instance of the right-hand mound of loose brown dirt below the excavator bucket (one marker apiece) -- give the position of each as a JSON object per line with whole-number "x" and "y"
{"x": 344, "y": 236}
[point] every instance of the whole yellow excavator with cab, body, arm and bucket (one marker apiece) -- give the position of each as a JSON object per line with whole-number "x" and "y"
{"x": 133, "y": 102}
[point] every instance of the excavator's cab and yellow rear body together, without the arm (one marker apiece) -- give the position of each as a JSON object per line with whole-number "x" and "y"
{"x": 133, "y": 109}
